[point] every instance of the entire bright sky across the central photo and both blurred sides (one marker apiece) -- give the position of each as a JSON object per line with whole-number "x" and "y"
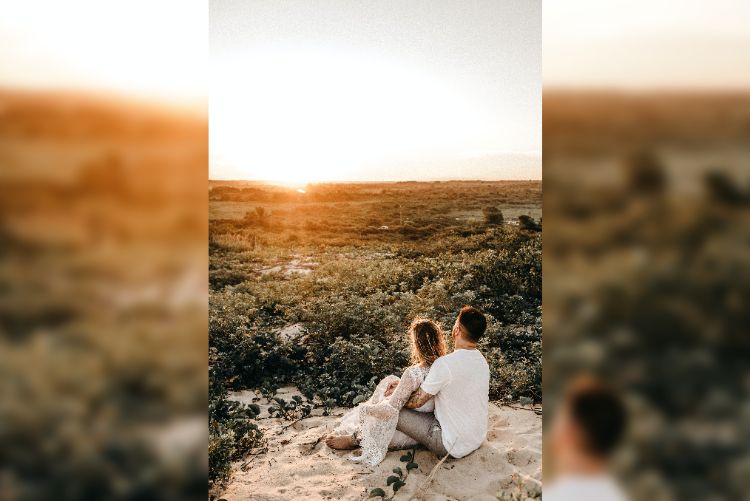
{"x": 359, "y": 90}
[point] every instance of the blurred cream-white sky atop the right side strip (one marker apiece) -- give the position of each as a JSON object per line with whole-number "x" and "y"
{"x": 647, "y": 44}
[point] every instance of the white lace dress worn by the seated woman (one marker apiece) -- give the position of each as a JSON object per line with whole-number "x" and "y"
{"x": 374, "y": 421}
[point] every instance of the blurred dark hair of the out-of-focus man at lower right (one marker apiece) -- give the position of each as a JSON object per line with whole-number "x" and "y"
{"x": 600, "y": 415}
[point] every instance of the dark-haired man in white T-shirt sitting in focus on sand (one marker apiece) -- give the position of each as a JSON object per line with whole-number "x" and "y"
{"x": 459, "y": 383}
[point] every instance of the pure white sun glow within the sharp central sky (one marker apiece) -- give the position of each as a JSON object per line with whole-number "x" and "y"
{"x": 299, "y": 116}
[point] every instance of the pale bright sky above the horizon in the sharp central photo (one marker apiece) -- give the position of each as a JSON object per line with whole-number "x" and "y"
{"x": 350, "y": 90}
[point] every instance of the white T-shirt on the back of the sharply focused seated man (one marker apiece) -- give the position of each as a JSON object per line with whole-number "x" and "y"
{"x": 460, "y": 383}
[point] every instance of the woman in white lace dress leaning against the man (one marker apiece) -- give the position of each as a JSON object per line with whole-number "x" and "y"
{"x": 372, "y": 424}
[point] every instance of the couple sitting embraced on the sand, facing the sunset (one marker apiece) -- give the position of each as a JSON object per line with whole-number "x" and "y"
{"x": 440, "y": 402}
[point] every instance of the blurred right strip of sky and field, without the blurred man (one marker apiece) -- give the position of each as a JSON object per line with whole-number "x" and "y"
{"x": 647, "y": 208}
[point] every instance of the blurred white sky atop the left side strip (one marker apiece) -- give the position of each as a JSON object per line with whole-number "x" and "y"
{"x": 157, "y": 50}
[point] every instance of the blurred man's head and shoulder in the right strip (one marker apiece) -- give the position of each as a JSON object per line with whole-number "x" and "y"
{"x": 586, "y": 431}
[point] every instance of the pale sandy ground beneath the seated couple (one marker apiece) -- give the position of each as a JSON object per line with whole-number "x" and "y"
{"x": 296, "y": 466}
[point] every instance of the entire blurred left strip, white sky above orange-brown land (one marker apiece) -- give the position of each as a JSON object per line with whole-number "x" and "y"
{"x": 103, "y": 231}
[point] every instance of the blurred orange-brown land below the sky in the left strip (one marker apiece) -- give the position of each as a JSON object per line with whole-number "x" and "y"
{"x": 102, "y": 298}
